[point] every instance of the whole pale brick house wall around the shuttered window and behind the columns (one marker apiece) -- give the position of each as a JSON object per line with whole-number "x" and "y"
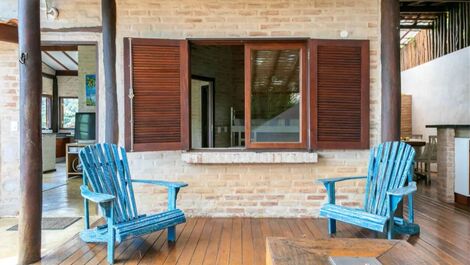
{"x": 225, "y": 190}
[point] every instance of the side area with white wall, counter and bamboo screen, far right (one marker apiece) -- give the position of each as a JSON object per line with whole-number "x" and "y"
{"x": 435, "y": 101}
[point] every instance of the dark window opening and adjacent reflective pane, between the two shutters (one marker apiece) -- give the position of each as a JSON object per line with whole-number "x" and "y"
{"x": 218, "y": 85}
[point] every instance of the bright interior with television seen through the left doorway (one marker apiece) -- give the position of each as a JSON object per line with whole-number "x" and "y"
{"x": 69, "y": 93}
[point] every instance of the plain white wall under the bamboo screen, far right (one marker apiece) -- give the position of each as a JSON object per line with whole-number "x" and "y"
{"x": 440, "y": 91}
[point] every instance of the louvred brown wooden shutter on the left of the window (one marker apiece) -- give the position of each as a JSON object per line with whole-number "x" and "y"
{"x": 156, "y": 94}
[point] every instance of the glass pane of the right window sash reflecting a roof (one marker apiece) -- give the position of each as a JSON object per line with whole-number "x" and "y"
{"x": 275, "y": 96}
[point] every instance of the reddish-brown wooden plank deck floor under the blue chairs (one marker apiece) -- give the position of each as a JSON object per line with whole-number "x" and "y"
{"x": 445, "y": 232}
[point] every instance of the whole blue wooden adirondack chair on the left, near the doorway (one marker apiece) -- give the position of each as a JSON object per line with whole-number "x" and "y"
{"x": 106, "y": 169}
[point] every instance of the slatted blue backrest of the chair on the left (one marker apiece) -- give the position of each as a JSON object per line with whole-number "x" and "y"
{"x": 106, "y": 169}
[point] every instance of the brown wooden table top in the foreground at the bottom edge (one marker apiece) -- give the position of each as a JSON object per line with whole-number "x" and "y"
{"x": 284, "y": 251}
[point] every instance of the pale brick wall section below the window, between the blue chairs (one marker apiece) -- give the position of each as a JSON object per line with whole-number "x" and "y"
{"x": 247, "y": 190}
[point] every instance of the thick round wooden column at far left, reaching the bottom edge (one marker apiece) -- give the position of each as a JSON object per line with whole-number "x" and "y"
{"x": 30, "y": 132}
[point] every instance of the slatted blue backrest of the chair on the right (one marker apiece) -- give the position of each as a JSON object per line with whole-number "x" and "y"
{"x": 389, "y": 166}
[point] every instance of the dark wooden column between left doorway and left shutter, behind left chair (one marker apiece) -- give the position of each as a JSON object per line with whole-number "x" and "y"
{"x": 108, "y": 16}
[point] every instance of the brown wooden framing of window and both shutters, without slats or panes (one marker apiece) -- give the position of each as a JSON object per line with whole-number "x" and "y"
{"x": 308, "y": 112}
